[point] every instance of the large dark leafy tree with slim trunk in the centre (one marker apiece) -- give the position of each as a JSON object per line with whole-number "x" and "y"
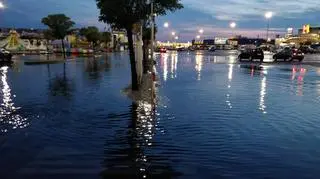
{"x": 123, "y": 14}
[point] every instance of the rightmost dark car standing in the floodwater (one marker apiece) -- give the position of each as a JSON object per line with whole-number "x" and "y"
{"x": 289, "y": 54}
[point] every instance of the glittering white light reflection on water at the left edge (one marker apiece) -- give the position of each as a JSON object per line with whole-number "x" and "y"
{"x": 9, "y": 119}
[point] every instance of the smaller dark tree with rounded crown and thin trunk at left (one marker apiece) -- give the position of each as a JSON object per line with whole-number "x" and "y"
{"x": 59, "y": 25}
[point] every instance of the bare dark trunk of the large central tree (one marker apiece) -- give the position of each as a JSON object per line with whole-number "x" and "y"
{"x": 134, "y": 76}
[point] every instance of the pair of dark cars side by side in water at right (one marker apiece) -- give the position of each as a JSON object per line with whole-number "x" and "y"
{"x": 287, "y": 54}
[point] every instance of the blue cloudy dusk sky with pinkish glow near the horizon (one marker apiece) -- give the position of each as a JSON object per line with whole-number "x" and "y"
{"x": 213, "y": 16}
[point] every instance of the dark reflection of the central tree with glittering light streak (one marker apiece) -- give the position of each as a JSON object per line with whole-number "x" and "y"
{"x": 129, "y": 156}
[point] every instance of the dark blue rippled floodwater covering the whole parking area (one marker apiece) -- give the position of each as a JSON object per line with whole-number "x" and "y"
{"x": 213, "y": 118}
